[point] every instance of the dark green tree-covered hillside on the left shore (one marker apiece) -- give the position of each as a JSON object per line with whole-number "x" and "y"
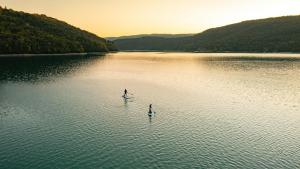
{"x": 32, "y": 33}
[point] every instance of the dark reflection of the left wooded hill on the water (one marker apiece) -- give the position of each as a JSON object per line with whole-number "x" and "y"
{"x": 43, "y": 68}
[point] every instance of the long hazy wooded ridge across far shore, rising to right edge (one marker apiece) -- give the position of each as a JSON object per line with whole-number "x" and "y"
{"x": 280, "y": 34}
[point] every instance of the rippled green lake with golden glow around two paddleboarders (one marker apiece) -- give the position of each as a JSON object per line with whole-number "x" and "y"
{"x": 212, "y": 111}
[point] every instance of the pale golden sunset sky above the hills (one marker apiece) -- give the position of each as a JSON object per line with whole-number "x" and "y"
{"x": 127, "y": 17}
